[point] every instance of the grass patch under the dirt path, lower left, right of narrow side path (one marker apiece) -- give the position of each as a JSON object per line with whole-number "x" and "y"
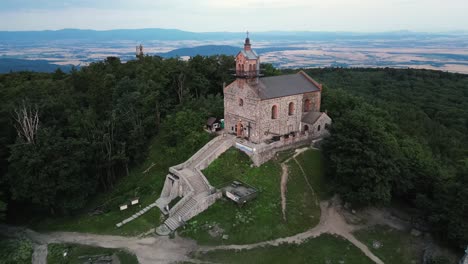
{"x": 75, "y": 251}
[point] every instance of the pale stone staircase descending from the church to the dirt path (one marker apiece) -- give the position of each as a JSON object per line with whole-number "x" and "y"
{"x": 198, "y": 194}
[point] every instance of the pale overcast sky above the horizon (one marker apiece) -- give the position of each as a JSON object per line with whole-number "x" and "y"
{"x": 237, "y": 15}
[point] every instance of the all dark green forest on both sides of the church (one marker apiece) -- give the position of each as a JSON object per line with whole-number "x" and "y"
{"x": 399, "y": 135}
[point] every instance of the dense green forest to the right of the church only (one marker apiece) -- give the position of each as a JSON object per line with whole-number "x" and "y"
{"x": 401, "y": 135}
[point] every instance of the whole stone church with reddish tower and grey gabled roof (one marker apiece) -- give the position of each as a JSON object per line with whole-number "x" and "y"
{"x": 263, "y": 108}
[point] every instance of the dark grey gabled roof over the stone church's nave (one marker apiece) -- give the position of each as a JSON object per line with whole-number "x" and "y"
{"x": 286, "y": 85}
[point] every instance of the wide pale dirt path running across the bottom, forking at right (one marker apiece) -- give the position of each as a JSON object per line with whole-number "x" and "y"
{"x": 156, "y": 249}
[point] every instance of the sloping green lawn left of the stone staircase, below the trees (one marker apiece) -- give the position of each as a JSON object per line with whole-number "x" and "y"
{"x": 147, "y": 186}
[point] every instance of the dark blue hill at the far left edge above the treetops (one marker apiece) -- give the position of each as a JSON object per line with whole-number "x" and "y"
{"x": 16, "y": 65}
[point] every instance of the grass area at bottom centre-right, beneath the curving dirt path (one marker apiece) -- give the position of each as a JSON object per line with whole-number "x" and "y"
{"x": 327, "y": 249}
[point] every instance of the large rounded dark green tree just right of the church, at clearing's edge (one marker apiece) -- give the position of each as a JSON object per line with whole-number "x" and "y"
{"x": 360, "y": 154}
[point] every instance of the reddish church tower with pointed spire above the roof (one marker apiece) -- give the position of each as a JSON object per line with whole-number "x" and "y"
{"x": 247, "y": 62}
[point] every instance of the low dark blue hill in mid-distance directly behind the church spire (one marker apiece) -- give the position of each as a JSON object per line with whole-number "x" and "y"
{"x": 208, "y": 50}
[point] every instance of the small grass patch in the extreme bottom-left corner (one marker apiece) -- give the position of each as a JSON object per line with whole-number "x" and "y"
{"x": 14, "y": 251}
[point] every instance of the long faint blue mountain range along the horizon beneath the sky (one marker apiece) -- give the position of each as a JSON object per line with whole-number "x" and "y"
{"x": 175, "y": 34}
